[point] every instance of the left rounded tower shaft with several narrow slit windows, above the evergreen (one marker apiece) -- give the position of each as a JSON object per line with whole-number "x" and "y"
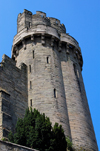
{"x": 45, "y": 77}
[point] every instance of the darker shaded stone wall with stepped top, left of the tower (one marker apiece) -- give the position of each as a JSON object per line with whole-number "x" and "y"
{"x": 13, "y": 94}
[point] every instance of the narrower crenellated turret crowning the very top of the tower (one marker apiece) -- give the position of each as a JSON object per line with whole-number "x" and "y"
{"x": 29, "y": 21}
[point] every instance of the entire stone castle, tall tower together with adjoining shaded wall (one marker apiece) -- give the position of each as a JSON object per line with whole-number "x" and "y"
{"x": 44, "y": 72}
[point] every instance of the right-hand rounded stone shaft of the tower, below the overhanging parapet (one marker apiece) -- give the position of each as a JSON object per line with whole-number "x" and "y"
{"x": 82, "y": 131}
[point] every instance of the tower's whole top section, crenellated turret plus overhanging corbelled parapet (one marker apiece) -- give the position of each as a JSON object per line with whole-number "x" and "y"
{"x": 30, "y": 26}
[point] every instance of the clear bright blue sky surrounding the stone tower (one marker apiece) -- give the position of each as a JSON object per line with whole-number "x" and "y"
{"x": 82, "y": 21}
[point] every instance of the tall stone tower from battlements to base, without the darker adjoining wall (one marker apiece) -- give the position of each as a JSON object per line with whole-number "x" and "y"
{"x": 55, "y": 85}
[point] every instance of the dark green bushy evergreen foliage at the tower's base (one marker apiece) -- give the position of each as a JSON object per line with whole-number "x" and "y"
{"x": 36, "y": 131}
